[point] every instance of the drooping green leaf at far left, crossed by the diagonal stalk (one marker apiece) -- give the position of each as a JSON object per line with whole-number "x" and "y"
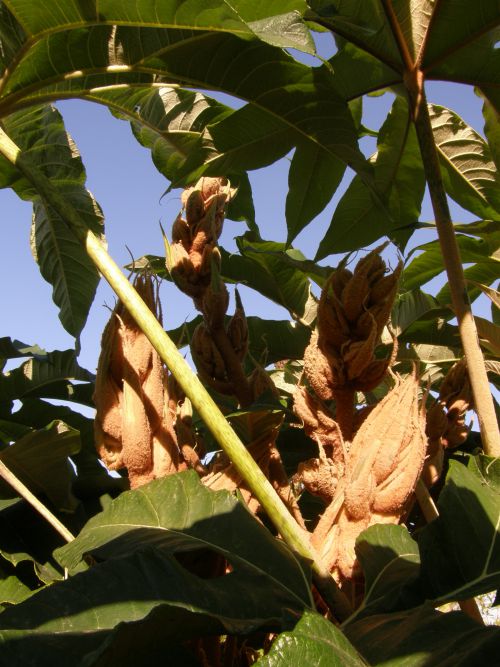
{"x": 63, "y": 261}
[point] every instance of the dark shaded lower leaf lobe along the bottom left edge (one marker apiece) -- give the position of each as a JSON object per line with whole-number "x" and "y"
{"x": 148, "y": 595}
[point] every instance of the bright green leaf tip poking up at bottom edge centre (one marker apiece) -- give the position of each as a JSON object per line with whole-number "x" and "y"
{"x": 313, "y": 641}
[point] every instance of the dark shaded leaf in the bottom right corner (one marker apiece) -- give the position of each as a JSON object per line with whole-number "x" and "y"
{"x": 424, "y": 638}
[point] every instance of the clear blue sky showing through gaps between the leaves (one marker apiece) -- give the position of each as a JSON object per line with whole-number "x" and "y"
{"x": 122, "y": 177}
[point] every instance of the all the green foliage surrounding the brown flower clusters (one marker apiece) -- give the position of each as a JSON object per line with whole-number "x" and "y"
{"x": 147, "y": 570}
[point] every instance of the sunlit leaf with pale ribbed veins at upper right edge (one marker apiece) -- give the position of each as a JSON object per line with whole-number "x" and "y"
{"x": 469, "y": 172}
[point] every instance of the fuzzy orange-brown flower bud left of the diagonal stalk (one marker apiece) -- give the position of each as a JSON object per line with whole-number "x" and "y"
{"x": 134, "y": 424}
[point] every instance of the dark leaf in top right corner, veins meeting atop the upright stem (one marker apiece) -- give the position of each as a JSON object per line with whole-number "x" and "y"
{"x": 452, "y": 40}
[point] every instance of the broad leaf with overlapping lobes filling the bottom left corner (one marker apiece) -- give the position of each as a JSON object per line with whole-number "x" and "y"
{"x": 141, "y": 583}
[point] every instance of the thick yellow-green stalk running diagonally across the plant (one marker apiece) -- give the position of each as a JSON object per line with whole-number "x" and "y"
{"x": 293, "y": 535}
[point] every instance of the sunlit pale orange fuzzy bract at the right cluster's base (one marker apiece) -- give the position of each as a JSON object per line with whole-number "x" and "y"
{"x": 382, "y": 467}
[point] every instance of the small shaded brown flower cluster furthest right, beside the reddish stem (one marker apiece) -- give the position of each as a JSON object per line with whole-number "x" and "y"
{"x": 446, "y": 427}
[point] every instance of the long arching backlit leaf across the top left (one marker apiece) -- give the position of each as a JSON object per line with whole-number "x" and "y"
{"x": 65, "y": 61}
